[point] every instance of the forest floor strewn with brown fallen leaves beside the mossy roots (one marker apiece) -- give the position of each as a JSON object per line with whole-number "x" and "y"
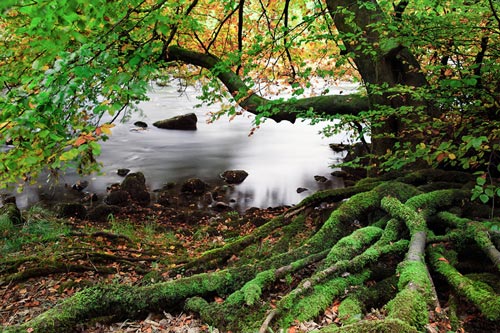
{"x": 49, "y": 259}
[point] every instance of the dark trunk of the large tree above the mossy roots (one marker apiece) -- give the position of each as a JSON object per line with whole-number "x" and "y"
{"x": 395, "y": 66}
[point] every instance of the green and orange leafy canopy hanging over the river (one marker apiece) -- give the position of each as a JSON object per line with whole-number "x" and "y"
{"x": 69, "y": 64}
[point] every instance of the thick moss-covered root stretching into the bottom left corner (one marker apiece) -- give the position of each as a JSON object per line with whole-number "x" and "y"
{"x": 122, "y": 301}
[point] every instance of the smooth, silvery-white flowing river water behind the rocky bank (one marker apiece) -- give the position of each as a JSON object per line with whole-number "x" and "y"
{"x": 279, "y": 157}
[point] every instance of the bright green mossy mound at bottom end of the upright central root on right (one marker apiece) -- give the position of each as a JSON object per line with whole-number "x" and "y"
{"x": 410, "y": 307}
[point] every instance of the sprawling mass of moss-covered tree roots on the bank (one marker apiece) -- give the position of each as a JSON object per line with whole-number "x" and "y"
{"x": 401, "y": 225}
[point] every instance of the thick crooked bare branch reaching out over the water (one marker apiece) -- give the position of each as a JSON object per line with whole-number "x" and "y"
{"x": 287, "y": 110}
